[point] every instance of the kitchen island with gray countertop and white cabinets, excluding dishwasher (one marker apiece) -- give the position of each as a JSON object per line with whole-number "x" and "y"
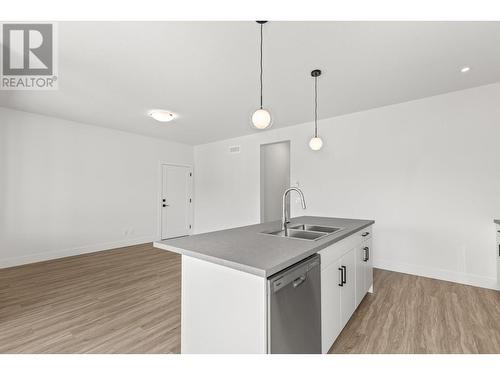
{"x": 225, "y": 281}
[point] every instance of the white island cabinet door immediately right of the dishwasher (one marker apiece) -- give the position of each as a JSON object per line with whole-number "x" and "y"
{"x": 330, "y": 305}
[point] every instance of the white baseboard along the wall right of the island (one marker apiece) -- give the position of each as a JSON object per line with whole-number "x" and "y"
{"x": 437, "y": 273}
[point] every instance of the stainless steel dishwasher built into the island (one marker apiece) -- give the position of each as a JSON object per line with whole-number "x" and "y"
{"x": 294, "y": 309}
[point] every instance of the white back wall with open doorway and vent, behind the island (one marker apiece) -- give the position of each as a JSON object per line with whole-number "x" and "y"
{"x": 427, "y": 171}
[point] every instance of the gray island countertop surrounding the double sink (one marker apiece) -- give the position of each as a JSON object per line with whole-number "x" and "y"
{"x": 247, "y": 249}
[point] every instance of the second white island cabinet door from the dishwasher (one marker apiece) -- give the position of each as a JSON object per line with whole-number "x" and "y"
{"x": 348, "y": 289}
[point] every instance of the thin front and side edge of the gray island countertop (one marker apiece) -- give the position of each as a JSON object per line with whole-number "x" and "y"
{"x": 257, "y": 271}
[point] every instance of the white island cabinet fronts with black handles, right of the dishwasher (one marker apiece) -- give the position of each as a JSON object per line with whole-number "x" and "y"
{"x": 346, "y": 277}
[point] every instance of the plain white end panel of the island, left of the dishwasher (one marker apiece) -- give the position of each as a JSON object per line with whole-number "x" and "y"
{"x": 223, "y": 310}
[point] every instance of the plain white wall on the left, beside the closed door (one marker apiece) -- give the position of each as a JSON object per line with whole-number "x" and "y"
{"x": 68, "y": 188}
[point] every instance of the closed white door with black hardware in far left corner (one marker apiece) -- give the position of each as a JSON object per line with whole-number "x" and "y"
{"x": 176, "y": 201}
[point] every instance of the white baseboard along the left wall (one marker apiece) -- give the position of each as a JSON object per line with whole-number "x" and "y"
{"x": 48, "y": 255}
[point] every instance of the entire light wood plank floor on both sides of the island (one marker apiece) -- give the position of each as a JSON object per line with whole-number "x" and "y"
{"x": 128, "y": 301}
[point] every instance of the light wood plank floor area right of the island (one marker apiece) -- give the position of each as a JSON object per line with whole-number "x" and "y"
{"x": 412, "y": 314}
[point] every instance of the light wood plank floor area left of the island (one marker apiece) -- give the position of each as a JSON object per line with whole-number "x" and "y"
{"x": 118, "y": 301}
